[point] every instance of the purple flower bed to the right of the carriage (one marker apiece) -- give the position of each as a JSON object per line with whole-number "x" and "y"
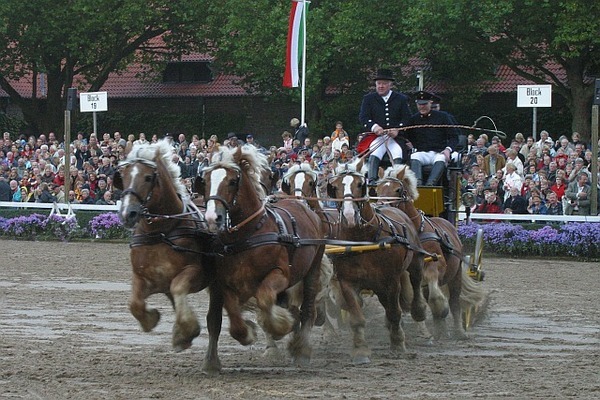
{"x": 575, "y": 239}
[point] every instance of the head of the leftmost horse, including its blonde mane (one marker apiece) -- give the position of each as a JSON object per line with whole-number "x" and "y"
{"x": 150, "y": 183}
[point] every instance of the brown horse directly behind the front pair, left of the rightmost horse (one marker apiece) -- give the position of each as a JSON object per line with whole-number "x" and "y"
{"x": 382, "y": 270}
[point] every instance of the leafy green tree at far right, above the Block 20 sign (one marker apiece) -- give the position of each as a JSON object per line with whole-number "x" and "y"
{"x": 526, "y": 35}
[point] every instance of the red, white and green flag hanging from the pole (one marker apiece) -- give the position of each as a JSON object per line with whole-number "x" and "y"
{"x": 295, "y": 43}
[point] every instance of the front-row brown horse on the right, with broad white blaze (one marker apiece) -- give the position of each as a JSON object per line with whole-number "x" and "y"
{"x": 267, "y": 249}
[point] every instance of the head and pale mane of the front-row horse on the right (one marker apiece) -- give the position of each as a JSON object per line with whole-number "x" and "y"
{"x": 230, "y": 182}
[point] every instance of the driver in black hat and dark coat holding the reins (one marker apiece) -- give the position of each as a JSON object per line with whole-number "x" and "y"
{"x": 381, "y": 110}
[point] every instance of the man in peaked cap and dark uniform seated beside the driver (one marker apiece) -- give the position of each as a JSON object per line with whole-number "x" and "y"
{"x": 432, "y": 145}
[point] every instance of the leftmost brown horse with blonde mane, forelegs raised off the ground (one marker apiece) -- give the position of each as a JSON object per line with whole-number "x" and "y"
{"x": 168, "y": 251}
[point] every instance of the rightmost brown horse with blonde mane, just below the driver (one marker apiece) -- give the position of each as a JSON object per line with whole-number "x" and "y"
{"x": 439, "y": 236}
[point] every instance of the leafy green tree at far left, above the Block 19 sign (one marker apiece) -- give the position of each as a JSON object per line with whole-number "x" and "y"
{"x": 80, "y": 42}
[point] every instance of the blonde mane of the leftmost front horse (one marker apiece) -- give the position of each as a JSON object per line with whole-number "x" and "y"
{"x": 147, "y": 152}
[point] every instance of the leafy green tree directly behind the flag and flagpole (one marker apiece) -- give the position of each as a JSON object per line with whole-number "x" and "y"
{"x": 347, "y": 41}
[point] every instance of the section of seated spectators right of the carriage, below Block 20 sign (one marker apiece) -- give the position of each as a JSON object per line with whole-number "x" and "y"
{"x": 546, "y": 176}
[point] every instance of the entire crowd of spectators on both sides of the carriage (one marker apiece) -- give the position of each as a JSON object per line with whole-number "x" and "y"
{"x": 524, "y": 177}
